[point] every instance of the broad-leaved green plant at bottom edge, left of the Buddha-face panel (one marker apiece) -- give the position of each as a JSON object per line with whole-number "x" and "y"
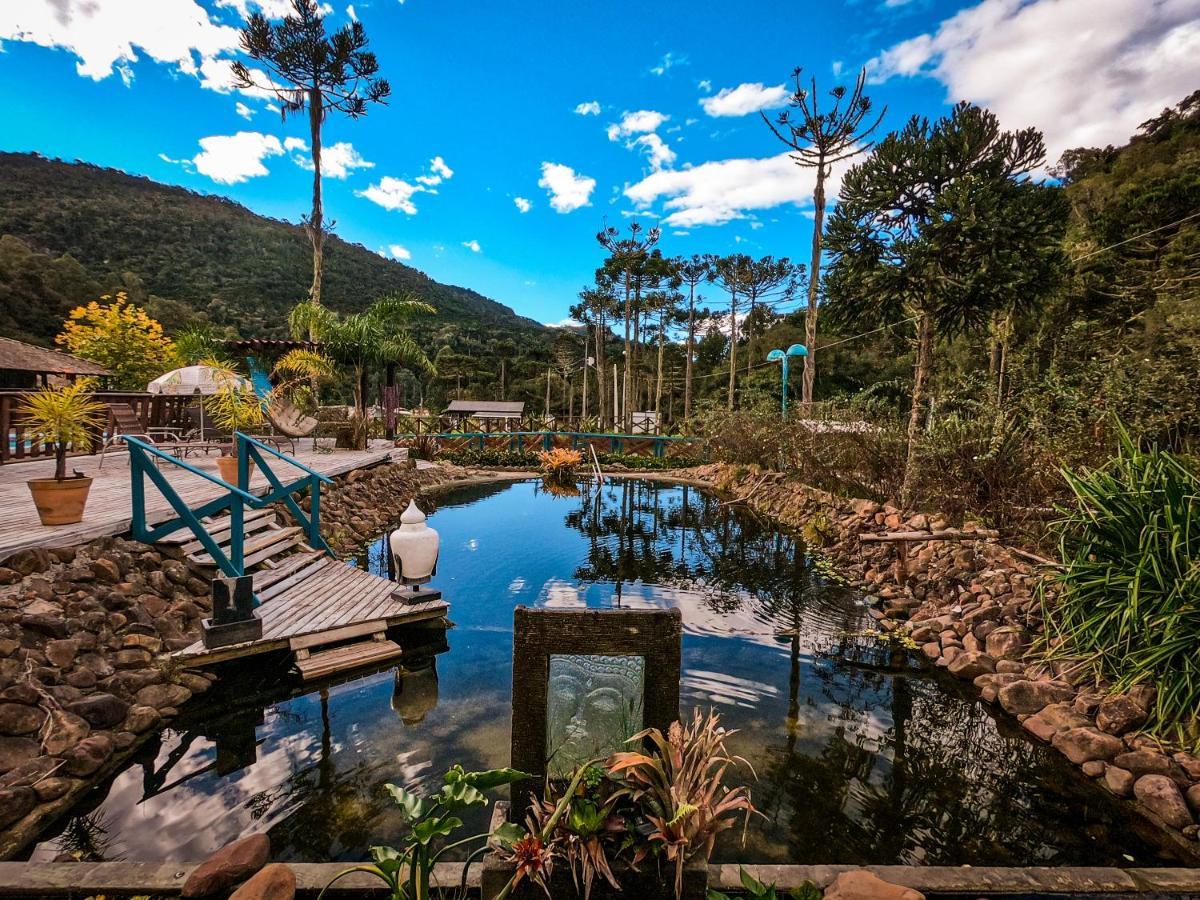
{"x": 431, "y": 821}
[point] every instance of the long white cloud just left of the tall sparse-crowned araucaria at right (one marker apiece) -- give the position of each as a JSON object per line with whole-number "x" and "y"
{"x": 725, "y": 190}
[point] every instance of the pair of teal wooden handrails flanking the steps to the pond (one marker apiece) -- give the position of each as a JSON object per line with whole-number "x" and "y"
{"x": 237, "y": 499}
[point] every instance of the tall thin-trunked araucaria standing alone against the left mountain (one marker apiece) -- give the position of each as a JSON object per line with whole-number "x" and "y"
{"x": 310, "y": 70}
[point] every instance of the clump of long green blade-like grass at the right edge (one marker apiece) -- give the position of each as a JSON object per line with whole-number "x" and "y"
{"x": 1130, "y": 592}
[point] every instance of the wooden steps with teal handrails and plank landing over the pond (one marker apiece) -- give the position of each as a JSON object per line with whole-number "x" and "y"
{"x": 331, "y": 616}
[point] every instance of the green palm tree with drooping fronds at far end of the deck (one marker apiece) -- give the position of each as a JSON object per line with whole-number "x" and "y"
{"x": 362, "y": 340}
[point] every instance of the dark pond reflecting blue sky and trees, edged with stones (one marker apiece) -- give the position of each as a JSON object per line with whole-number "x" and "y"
{"x": 862, "y": 755}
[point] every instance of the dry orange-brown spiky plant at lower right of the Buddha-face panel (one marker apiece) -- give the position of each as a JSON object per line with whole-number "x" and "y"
{"x": 681, "y": 788}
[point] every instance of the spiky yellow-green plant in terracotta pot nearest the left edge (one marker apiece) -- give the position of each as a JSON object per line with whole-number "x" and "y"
{"x": 68, "y": 418}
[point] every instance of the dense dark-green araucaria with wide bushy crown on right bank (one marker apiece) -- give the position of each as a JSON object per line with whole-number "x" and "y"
{"x": 943, "y": 226}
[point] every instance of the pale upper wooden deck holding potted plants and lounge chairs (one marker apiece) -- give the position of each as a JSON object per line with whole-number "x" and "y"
{"x": 109, "y": 506}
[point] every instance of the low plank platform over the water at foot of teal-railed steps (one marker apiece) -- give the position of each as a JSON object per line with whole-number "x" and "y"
{"x": 338, "y": 602}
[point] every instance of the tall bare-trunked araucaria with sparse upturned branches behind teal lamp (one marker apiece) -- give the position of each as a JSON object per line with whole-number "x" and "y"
{"x": 823, "y": 137}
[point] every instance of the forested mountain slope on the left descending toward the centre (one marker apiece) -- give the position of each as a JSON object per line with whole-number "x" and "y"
{"x": 70, "y": 231}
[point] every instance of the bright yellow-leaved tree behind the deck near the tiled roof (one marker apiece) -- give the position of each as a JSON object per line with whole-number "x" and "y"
{"x": 122, "y": 338}
